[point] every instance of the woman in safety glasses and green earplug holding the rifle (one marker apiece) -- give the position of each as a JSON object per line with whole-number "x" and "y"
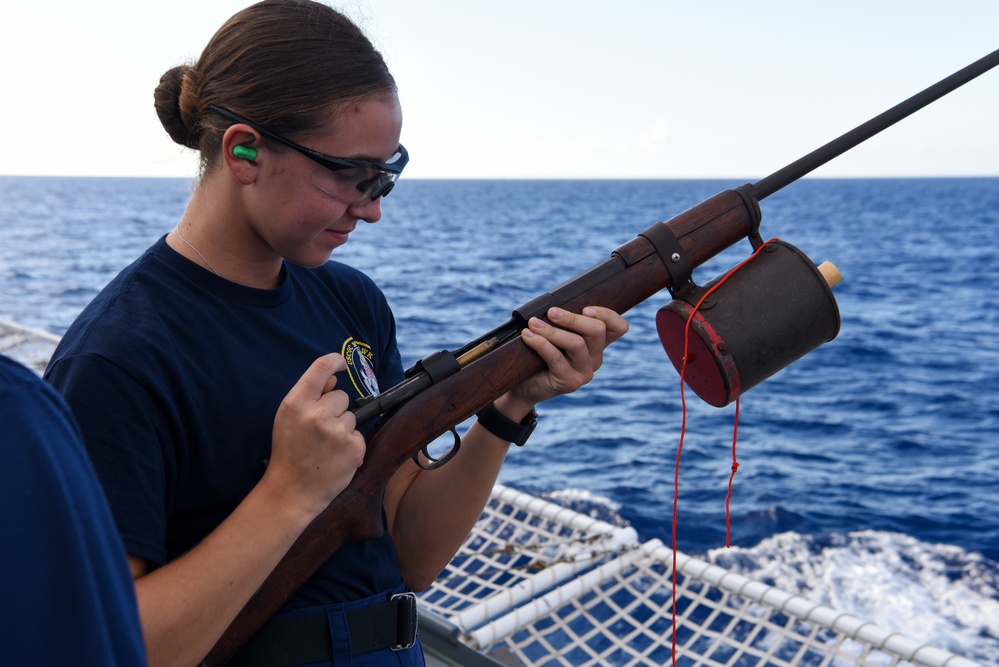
{"x": 186, "y": 372}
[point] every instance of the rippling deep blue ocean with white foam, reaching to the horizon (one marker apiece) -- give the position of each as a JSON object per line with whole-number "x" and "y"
{"x": 867, "y": 477}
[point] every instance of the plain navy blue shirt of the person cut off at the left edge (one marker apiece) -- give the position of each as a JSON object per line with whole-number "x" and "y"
{"x": 67, "y": 595}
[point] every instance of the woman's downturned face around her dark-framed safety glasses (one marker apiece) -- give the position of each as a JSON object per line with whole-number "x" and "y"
{"x": 298, "y": 220}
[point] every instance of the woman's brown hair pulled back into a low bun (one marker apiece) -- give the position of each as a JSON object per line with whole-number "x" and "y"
{"x": 286, "y": 64}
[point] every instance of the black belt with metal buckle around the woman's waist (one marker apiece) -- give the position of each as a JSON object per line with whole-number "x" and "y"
{"x": 300, "y": 640}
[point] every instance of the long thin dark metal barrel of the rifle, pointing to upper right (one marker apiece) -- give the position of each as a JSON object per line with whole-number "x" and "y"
{"x": 836, "y": 147}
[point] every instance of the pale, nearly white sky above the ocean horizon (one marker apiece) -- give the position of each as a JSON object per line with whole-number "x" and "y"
{"x": 560, "y": 89}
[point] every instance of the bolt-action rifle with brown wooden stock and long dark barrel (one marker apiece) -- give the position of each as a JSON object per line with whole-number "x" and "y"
{"x": 447, "y": 388}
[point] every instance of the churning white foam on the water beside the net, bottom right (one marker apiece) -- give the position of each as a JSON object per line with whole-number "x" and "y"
{"x": 935, "y": 593}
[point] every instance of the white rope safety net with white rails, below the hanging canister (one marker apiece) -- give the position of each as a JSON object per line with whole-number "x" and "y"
{"x": 555, "y": 587}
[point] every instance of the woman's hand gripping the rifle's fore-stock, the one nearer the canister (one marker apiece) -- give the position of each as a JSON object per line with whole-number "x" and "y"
{"x": 572, "y": 346}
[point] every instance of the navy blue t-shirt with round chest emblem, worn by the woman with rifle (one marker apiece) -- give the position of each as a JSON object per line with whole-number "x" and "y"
{"x": 175, "y": 376}
